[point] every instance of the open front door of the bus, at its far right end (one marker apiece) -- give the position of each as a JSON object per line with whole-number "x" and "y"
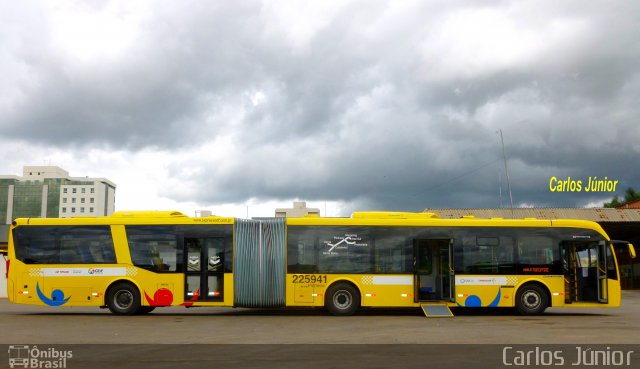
{"x": 585, "y": 266}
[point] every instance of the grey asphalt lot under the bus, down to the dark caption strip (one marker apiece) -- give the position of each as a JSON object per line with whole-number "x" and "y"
{"x": 178, "y": 325}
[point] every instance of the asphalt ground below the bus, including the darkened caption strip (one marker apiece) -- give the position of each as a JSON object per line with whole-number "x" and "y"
{"x": 256, "y": 338}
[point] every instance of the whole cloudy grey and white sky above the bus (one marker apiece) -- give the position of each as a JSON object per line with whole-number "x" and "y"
{"x": 241, "y": 107}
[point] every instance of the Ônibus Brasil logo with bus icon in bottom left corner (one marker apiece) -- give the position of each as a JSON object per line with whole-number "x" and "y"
{"x": 26, "y": 356}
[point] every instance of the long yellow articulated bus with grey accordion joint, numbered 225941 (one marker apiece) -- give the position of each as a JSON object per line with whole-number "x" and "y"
{"x": 133, "y": 262}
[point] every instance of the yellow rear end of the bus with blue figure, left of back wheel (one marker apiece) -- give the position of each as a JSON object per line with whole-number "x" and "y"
{"x": 50, "y": 264}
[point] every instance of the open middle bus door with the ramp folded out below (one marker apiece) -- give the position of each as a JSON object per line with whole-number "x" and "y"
{"x": 433, "y": 269}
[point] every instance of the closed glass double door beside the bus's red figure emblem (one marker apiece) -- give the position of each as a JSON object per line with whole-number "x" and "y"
{"x": 204, "y": 276}
